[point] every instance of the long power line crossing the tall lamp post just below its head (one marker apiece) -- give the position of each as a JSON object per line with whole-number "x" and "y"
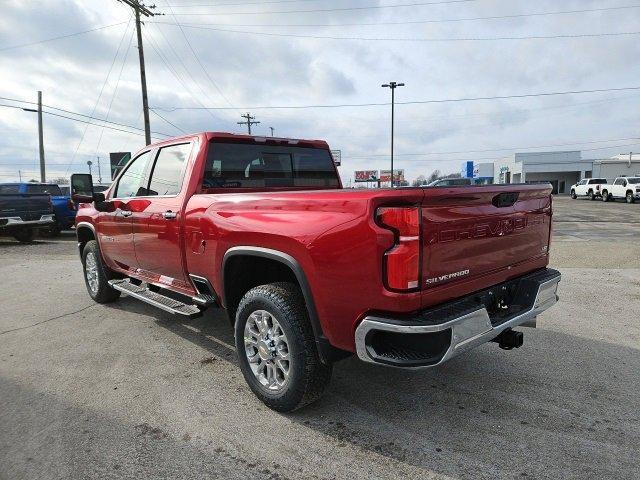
{"x": 413, "y": 102}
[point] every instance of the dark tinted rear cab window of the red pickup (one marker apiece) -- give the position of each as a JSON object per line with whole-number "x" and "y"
{"x": 233, "y": 165}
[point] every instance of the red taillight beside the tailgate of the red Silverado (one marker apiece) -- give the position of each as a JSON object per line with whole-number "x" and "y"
{"x": 401, "y": 264}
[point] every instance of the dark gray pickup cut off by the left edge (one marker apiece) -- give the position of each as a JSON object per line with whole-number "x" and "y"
{"x": 23, "y": 214}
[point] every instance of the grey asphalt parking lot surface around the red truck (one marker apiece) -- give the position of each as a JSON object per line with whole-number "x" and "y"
{"x": 125, "y": 390}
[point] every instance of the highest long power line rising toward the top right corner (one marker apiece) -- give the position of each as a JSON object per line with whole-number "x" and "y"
{"x": 418, "y": 22}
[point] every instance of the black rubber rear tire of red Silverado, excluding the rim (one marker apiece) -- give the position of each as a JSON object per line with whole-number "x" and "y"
{"x": 308, "y": 376}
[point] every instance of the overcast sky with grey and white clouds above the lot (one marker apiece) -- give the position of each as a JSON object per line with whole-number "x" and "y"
{"x": 245, "y": 70}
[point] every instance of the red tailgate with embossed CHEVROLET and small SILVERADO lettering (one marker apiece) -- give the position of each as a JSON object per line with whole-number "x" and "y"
{"x": 471, "y": 233}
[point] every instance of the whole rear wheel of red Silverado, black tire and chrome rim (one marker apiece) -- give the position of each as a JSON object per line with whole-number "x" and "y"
{"x": 277, "y": 349}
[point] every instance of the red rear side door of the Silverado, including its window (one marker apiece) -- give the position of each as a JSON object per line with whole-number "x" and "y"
{"x": 157, "y": 222}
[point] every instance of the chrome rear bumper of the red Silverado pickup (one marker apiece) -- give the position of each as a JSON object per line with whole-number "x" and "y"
{"x": 439, "y": 334}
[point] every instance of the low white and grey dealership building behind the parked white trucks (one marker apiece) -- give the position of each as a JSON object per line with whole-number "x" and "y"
{"x": 561, "y": 169}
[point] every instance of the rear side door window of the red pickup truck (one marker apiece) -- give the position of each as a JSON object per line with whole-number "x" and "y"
{"x": 168, "y": 171}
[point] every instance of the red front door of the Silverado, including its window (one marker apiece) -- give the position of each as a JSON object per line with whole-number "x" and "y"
{"x": 115, "y": 228}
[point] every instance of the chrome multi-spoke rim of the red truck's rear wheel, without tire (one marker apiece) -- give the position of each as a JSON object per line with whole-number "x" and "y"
{"x": 267, "y": 350}
